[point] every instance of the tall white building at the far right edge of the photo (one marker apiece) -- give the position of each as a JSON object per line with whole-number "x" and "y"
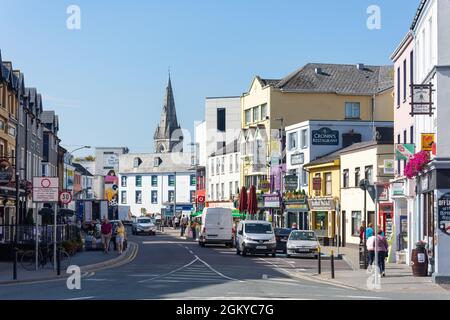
{"x": 431, "y": 34}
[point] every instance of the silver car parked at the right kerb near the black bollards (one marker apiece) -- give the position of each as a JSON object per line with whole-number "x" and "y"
{"x": 303, "y": 243}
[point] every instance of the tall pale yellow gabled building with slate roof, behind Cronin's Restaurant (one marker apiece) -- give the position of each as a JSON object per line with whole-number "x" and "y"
{"x": 314, "y": 92}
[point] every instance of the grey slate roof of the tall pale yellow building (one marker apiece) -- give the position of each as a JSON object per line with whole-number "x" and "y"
{"x": 339, "y": 78}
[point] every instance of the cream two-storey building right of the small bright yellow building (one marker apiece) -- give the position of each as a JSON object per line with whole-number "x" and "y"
{"x": 372, "y": 161}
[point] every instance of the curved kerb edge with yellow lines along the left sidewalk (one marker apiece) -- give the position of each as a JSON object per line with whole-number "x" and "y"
{"x": 129, "y": 256}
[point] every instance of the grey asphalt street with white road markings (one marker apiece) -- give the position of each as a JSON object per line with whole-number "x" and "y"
{"x": 168, "y": 267}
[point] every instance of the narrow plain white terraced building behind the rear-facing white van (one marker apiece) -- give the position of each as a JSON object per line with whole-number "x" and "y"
{"x": 223, "y": 174}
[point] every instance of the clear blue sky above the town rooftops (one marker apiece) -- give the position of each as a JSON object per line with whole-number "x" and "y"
{"x": 107, "y": 80}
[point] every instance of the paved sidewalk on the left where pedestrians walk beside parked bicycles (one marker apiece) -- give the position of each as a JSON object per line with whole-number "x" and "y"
{"x": 87, "y": 260}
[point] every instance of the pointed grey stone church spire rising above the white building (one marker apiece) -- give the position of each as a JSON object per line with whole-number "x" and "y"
{"x": 168, "y": 136}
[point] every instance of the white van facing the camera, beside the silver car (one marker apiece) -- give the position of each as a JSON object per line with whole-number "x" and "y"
{"x": 255, "y": 237}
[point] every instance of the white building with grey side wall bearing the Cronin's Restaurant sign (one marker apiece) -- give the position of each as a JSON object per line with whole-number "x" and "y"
{"x": 309, "y": 140}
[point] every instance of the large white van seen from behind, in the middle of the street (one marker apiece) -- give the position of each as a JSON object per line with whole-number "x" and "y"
{"x": 217, "y": 227}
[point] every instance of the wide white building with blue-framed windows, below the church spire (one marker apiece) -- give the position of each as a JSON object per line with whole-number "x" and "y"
{"x": 155, "y": 183}
